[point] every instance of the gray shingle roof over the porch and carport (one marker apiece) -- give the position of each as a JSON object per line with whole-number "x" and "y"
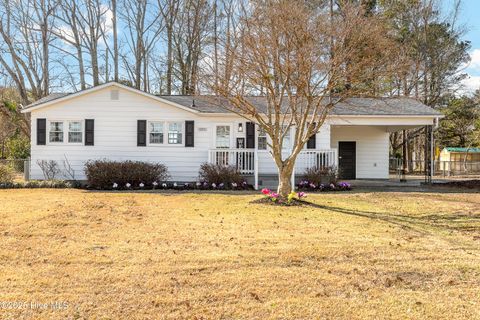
{"x": 351, "y": 106}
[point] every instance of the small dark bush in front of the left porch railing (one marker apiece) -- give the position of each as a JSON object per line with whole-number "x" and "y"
{"x": 217, "y": 175}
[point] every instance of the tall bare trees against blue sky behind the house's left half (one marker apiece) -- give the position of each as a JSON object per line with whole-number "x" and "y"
{"x": 153, "y": 45}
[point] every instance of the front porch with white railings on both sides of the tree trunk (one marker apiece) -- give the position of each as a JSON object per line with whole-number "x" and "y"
{"x": 259, "y": 166}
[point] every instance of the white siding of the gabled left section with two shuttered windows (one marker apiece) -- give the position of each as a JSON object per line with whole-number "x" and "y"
{"x": 116, "y": 134}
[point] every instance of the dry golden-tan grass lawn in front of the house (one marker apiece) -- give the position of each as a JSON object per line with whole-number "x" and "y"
{"x": 217, "y": 256}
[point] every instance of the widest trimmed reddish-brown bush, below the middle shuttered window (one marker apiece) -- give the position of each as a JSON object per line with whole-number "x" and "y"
{"x": 105, "y": 174}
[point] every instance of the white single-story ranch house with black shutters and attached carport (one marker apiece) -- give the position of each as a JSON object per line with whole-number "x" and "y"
{"x": 116, "y": 122}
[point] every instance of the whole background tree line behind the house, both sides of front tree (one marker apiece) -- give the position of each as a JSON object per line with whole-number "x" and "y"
{"x": 162, "y": 46}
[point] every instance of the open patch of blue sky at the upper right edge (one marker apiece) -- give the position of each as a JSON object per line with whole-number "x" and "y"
{"x": 469, "y": 17}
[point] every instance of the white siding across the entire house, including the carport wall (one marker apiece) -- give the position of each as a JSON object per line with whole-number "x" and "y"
{"x": 116, "y": 135}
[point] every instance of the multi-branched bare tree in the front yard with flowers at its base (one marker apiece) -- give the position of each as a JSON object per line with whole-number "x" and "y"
{"x": 287, "y": 54}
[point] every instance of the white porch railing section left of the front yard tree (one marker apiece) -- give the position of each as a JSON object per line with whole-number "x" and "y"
{"x": 242, "y": 159}
